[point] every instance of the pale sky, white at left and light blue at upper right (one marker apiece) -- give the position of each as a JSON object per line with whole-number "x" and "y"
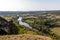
{"x": 29, "y": 5}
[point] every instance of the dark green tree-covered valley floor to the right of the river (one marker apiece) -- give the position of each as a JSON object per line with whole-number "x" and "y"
{"x": 43, "y": 25}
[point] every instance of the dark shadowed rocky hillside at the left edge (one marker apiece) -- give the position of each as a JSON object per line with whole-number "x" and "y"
{"x": 6, "y": 27}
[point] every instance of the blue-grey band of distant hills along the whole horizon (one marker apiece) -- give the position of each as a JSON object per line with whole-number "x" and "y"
{"x": 28, "y": 12}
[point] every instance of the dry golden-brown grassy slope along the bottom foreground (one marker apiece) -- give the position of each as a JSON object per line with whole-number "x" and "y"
{"x": 24, "y": 37}
